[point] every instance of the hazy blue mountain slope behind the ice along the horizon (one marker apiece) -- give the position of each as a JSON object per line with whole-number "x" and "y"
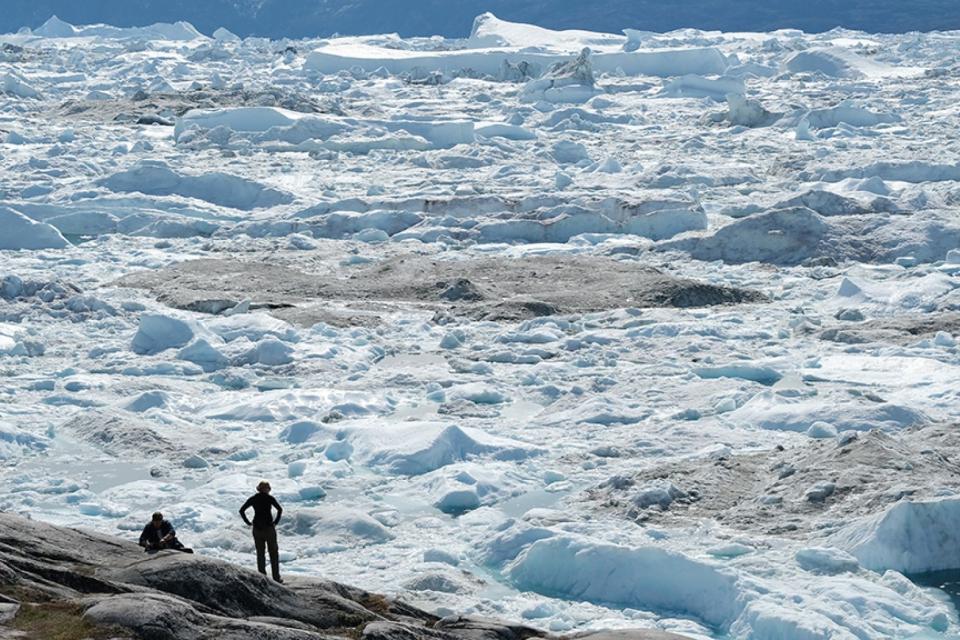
{"x": 301, "y": 18}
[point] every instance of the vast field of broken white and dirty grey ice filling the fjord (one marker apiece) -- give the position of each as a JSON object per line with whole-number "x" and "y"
{"x": 586, "y": 330}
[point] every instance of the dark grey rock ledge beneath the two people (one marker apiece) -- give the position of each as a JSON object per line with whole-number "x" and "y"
{"x": 67, "y": 584}
